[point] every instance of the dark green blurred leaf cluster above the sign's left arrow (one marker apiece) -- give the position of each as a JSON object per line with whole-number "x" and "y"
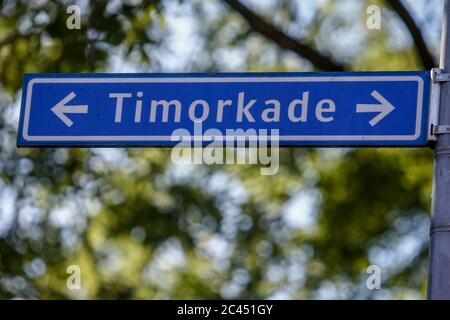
{"x": 34, "y": 36}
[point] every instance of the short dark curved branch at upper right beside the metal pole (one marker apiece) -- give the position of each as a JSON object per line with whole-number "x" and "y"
{"x": 426, "y": 57}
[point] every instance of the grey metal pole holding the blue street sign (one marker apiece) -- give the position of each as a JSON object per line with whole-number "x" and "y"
{"x": 439, "y": 264}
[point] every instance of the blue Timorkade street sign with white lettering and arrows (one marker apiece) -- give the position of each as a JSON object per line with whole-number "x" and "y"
{"x": 300, "y": 109}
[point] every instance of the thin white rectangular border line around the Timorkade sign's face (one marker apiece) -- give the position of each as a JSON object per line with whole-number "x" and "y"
{"x": 413, "y": 137}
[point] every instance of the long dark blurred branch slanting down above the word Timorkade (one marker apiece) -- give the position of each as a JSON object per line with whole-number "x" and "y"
{"x": 259, "y": 25}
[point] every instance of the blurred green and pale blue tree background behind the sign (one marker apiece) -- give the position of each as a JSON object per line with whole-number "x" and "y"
{"x": 139, "y": 226}
